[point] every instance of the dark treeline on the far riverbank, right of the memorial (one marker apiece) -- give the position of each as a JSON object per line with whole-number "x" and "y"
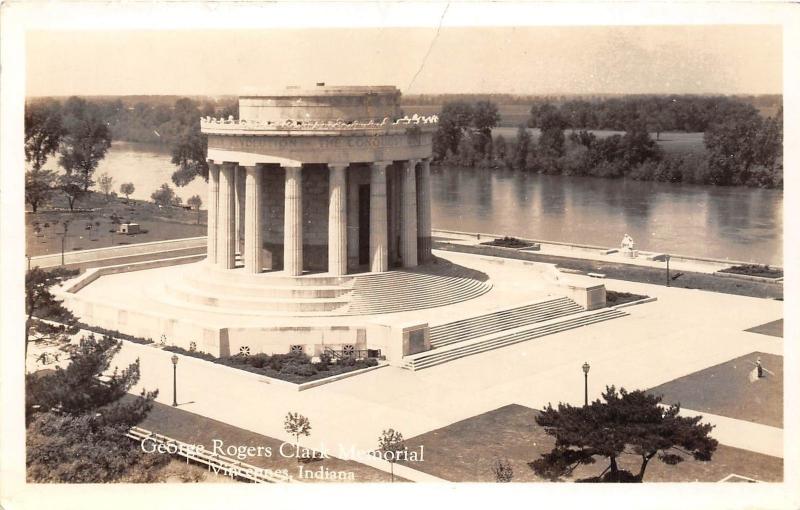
{"x": 742, "y": 148}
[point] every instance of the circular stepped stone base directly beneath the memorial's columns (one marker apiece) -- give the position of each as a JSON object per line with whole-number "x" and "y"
{"x": 205, "y": 287}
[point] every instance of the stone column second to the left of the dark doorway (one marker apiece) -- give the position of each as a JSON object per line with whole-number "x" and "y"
{"x": 293, "y": 221}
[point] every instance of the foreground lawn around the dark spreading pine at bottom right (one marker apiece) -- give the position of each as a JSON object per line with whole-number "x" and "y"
{"x": 466, "y": 450}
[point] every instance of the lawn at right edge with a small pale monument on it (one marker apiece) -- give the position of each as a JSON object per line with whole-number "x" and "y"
{"x": 727, "y": 390}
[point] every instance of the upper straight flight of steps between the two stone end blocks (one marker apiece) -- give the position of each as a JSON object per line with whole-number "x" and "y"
{"x": 473, "y": 327}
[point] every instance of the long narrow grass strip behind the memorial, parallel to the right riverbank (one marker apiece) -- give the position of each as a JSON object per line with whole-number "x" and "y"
{"x": 628, "y": 272}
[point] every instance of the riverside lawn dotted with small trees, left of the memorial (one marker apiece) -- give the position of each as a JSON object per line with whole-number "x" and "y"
{"x": 161, "y": 224}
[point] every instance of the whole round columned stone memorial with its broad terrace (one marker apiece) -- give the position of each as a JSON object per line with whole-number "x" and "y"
{"x": 319, "y": 239}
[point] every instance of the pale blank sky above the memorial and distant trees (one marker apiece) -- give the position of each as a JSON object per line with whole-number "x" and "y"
{"x": 517, "y": 60}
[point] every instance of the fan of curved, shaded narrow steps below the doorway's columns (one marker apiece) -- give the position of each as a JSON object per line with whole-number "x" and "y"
{"x": 400, "y": 291}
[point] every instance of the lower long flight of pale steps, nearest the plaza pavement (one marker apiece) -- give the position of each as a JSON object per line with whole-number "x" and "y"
{"x": 505, "y": 338}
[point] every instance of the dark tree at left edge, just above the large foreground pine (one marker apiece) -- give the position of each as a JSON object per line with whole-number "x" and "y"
{"x": 40, "y": 302}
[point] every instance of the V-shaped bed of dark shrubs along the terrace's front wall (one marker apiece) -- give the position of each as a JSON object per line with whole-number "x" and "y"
{"x": 293, "y": 367}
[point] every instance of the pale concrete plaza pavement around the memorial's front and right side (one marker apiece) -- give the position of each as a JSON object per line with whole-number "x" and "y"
{"x": 680, "y": 333}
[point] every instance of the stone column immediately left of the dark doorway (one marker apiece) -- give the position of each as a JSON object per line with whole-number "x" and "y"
{"x": 337, "y": 220}
